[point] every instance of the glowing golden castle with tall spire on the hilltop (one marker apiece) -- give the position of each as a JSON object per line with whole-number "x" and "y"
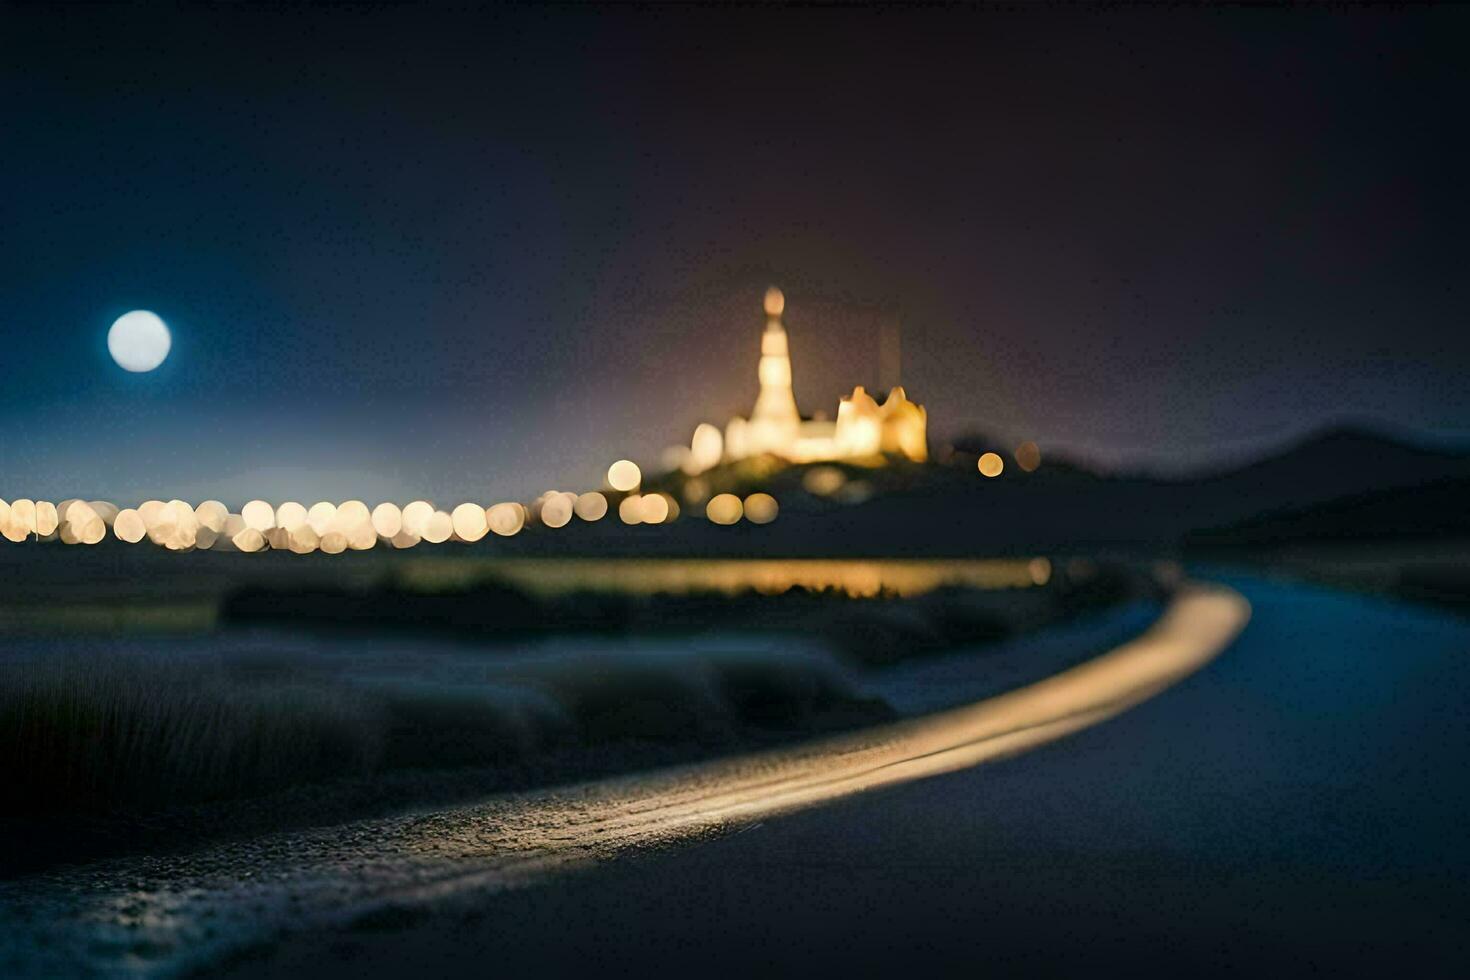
{"x": 864, "y": 428}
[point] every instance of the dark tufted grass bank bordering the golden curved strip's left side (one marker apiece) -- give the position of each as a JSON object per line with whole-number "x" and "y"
{"x": 140, "y": 732}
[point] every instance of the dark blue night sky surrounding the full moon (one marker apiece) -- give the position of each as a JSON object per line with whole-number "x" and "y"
{"x": 465, "y": 255}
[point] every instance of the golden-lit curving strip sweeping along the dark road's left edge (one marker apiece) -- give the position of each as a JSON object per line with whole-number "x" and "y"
{"x": 164, "y": 916}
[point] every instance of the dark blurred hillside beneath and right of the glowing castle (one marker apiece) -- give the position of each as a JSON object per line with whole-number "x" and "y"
{"x": 1346, "y": 483}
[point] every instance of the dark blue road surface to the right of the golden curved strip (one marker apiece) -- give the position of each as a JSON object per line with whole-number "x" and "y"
{"x": 1294, "y": 810}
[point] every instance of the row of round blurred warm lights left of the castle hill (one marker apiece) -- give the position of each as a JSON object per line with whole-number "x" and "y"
{"x": 352, "y": 527}
